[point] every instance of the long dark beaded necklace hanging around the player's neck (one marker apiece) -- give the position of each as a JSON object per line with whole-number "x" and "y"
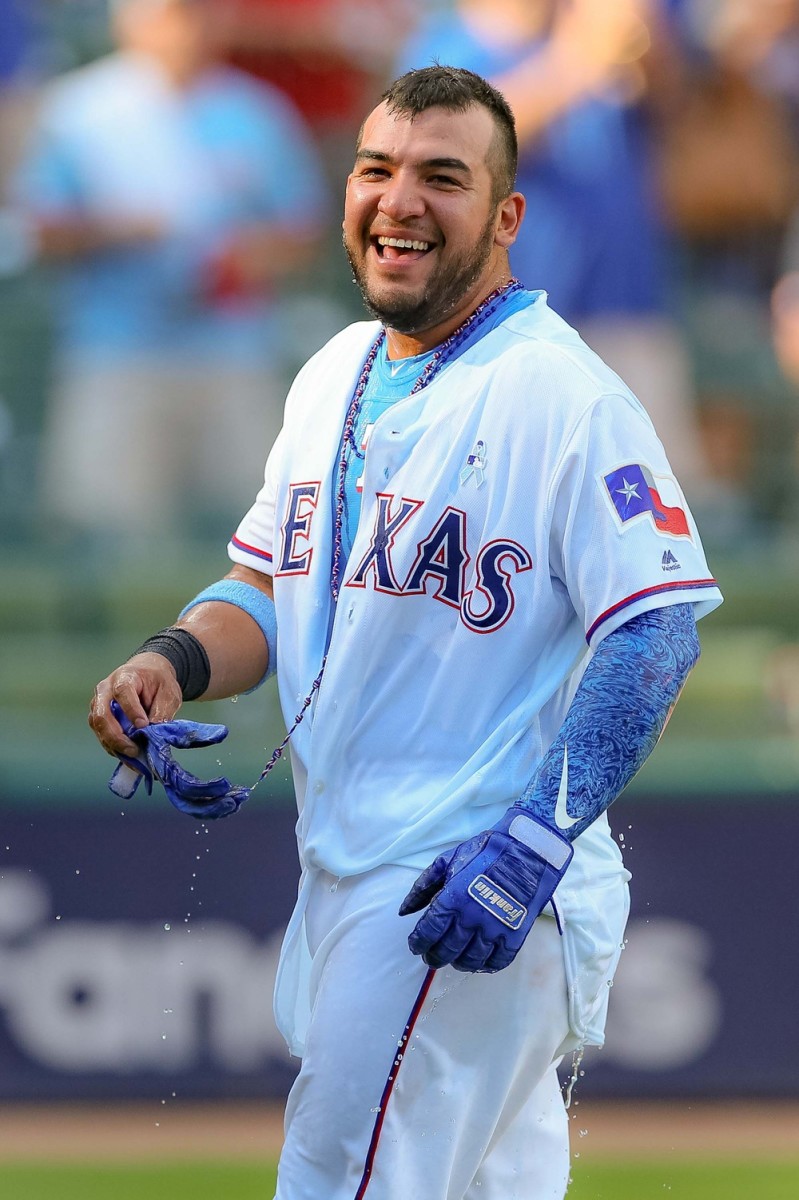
{"x": 432, "y": 368}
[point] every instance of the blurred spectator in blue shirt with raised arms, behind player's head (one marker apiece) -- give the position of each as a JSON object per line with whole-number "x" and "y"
{"x": 581, "y": 79}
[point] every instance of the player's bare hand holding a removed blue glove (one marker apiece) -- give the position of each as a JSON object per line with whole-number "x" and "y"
{"x": 147, "y": 691}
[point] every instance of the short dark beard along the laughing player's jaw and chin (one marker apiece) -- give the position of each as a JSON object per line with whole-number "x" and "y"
{"x": 442, "y": 296}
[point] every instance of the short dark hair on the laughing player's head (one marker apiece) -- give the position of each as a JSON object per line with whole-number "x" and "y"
{"x": 458, "y": 89}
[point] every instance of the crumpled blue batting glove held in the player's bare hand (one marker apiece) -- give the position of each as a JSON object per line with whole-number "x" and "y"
{"x": 203, "y": 800}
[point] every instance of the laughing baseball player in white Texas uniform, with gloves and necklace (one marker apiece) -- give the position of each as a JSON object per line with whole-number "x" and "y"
{"x": 478, "y": 581}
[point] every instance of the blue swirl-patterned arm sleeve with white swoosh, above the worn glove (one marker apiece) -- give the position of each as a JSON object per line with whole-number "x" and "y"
{"x": 616, "y": 718}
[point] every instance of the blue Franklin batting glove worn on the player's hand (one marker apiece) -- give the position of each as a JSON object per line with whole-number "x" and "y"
{"x": 484, "y": 896}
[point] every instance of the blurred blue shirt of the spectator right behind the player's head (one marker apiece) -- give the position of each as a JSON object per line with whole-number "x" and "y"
{"x": 592, "y": 235}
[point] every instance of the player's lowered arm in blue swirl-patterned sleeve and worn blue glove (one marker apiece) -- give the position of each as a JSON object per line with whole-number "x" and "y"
{"x": 482, "y": 899}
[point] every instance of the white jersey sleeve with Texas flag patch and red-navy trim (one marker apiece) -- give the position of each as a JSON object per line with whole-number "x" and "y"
{"x": 623, "y": 539}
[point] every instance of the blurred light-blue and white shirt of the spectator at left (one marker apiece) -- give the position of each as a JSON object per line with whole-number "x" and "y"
{"x": 116, "y": 141}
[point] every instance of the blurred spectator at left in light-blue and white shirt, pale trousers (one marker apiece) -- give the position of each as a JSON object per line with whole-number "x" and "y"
{"x": 173, "y": 195}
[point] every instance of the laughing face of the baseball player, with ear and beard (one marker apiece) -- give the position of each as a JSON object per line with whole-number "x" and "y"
{"x": 429, "y": 221}
